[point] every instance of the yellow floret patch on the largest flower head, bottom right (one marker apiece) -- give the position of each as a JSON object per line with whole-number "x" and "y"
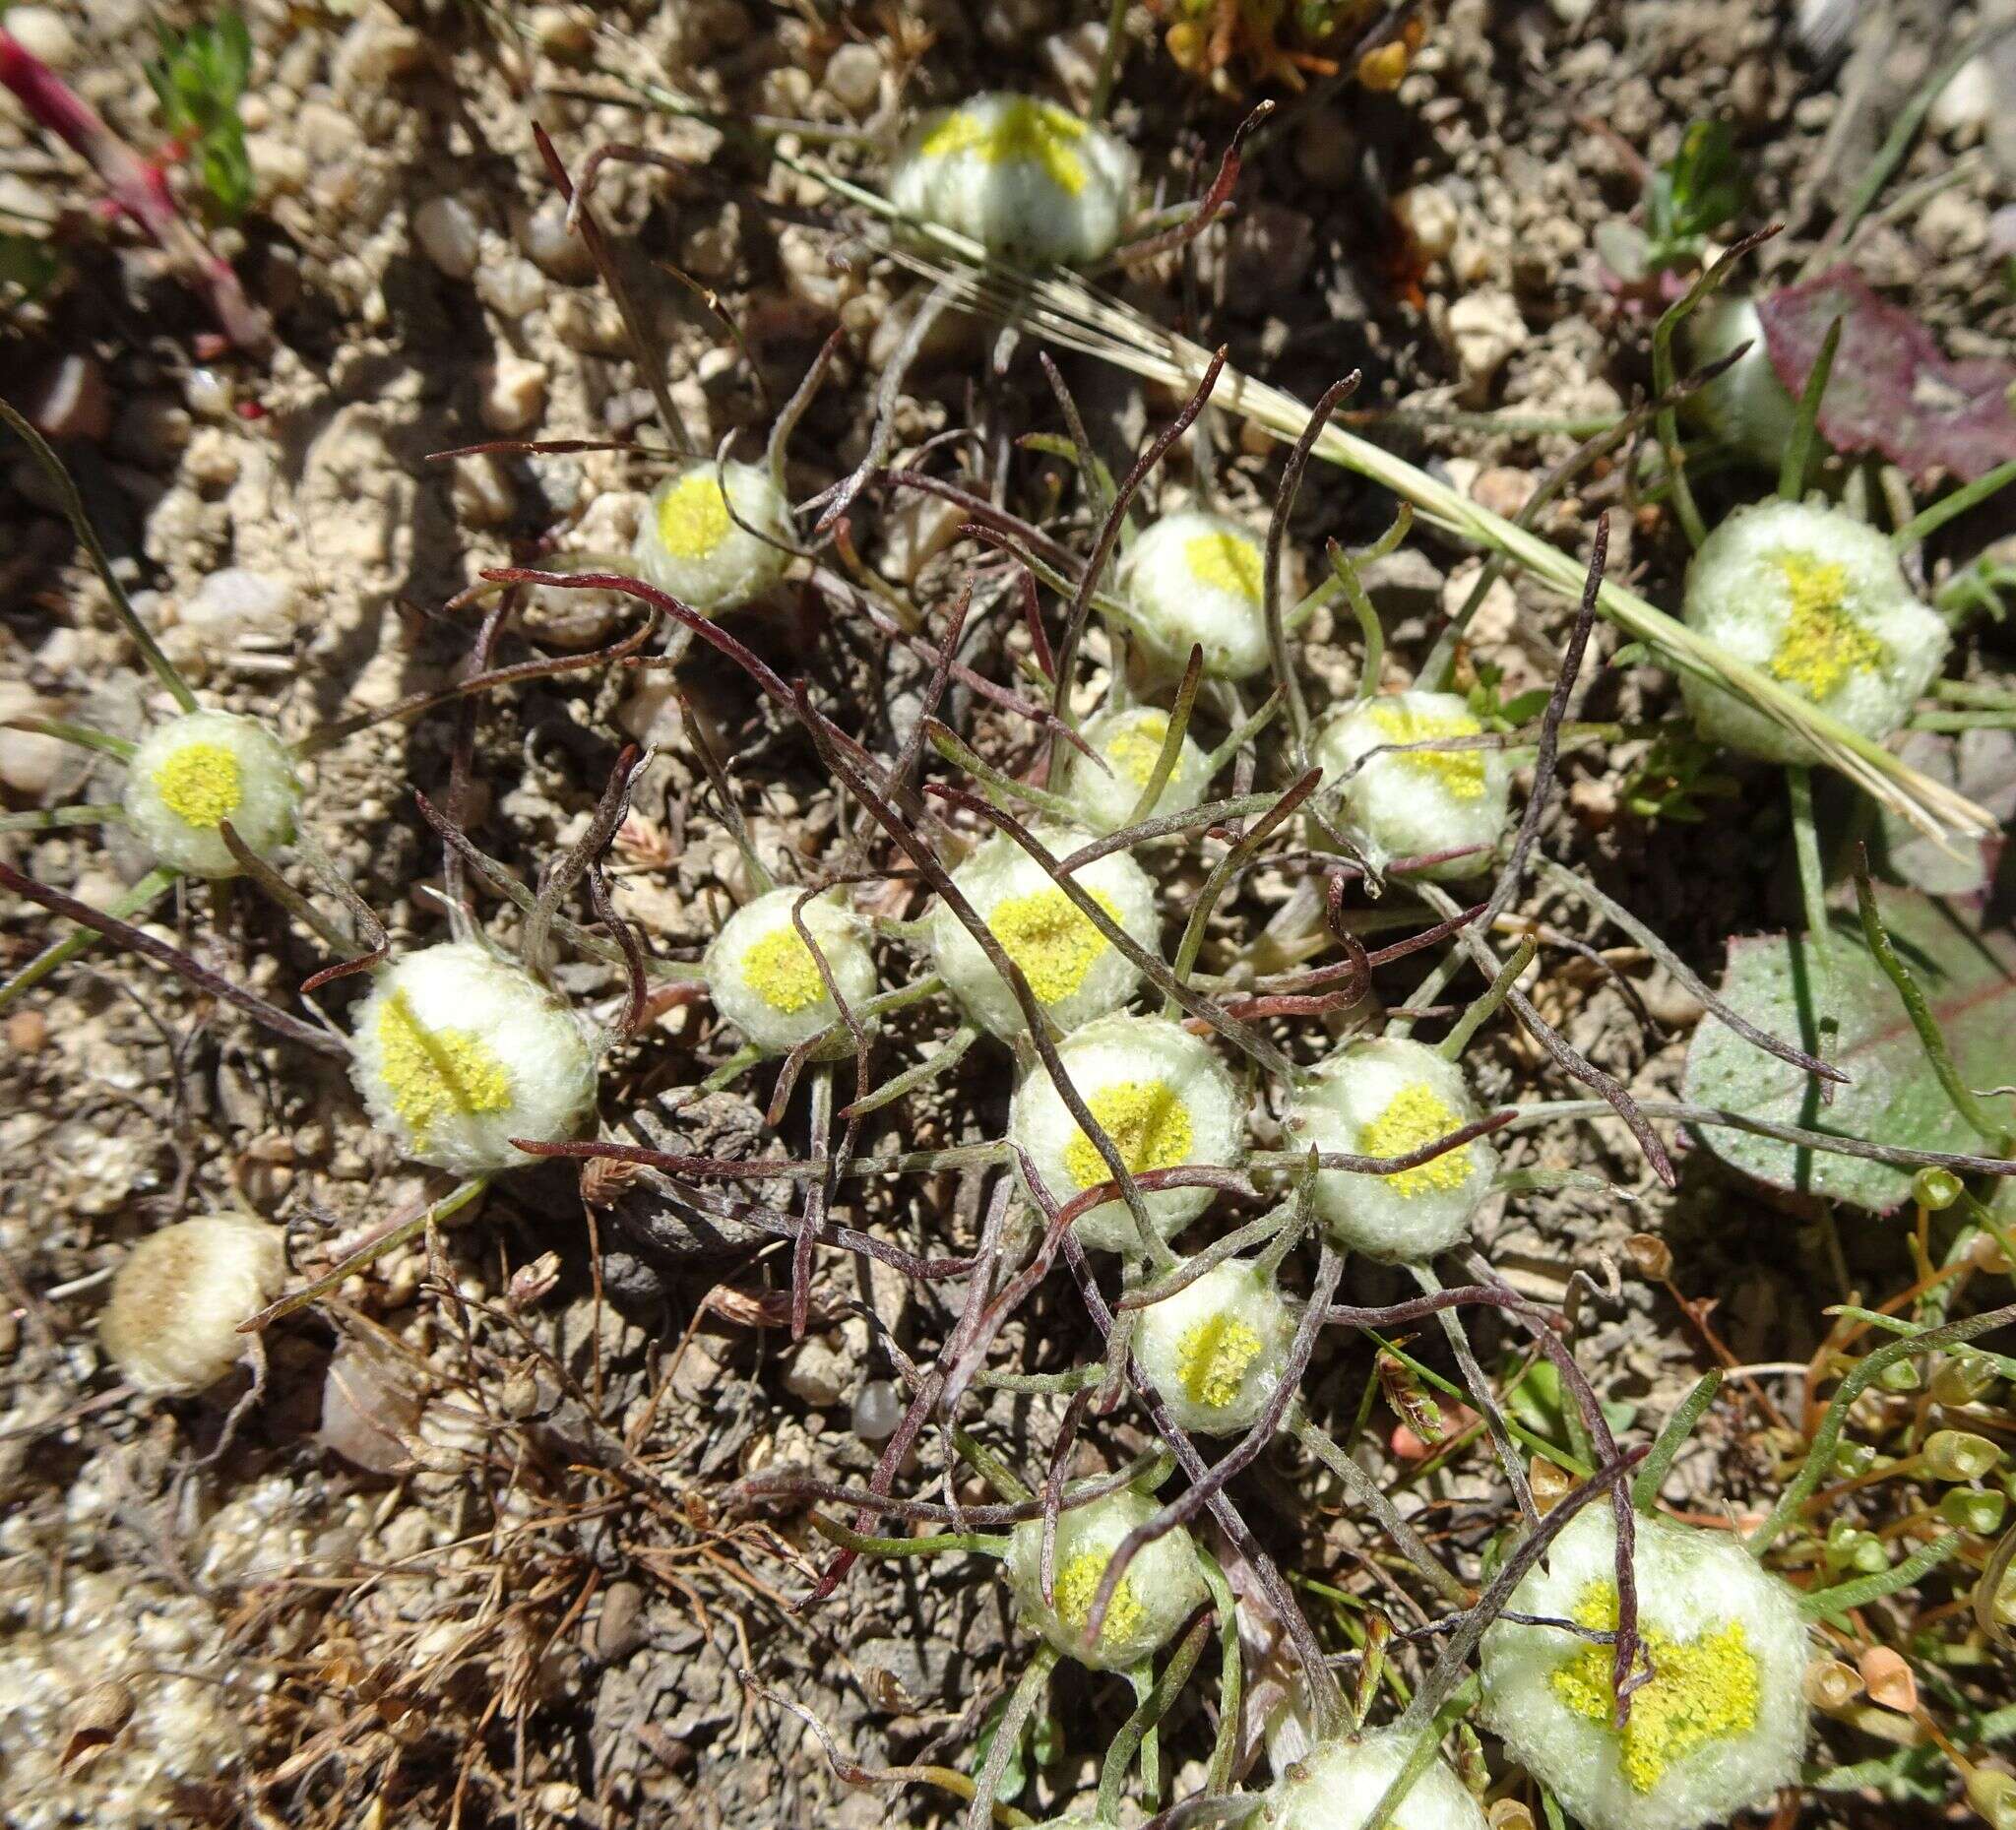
{"x": 1703, "y": 1690}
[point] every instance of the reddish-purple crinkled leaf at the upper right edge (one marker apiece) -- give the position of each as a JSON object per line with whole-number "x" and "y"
{"x": 1892, "y": 388}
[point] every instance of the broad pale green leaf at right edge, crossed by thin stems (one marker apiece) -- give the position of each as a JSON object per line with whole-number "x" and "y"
{"x": 1852, "y": 1017}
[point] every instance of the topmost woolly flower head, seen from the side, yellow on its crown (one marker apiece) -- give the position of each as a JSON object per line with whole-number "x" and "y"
{"x": 1021, "y": 176}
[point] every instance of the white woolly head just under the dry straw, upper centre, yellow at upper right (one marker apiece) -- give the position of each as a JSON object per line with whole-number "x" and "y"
{"x": 1199, "y": 579}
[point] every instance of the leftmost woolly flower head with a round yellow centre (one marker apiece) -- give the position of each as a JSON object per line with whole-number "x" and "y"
{"x": 195, "y": 773}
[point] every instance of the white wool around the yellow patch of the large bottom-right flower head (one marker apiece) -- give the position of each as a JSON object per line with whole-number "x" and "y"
{"x": 1690, "y": 1583}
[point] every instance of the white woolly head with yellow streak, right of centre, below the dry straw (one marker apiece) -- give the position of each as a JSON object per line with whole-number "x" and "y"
{"x": 1414, "y": 803}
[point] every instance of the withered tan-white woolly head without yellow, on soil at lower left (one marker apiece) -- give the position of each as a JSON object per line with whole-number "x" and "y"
{"x": 180, "y": 1295}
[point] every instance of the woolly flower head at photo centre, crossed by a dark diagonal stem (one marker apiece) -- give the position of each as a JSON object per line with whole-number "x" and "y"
{"x": 1069, "y": 964}
